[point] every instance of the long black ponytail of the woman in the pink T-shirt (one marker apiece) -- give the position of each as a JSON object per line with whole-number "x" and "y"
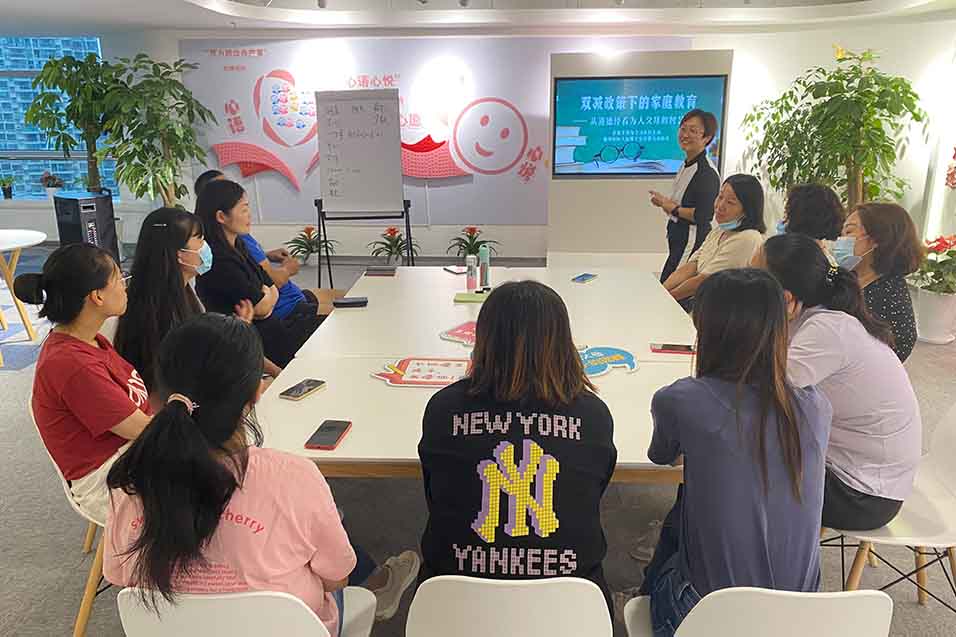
{"x": 185, "y": 467}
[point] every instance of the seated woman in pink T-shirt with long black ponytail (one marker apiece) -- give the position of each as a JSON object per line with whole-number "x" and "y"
{"x": 233, "y": 517}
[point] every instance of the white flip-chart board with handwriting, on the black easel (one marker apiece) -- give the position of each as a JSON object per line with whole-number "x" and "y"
{"x": 360, "y": 150}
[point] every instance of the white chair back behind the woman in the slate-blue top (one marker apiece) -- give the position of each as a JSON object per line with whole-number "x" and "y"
{"x": 758, "y": 612}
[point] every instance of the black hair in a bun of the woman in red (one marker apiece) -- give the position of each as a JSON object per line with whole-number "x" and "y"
{"x": 69, "y": 275}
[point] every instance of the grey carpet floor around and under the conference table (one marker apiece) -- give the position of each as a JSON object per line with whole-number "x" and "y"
{"x": 44, "y": 571}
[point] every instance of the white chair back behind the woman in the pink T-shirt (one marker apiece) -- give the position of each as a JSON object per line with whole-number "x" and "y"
{"x": 253, "y": 614}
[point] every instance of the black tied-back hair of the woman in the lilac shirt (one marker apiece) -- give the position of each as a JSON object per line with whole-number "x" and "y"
{"x": 798, "y": 262}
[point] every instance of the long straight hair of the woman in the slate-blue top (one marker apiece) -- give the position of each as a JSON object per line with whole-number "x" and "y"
{"x": 741, "y": 321}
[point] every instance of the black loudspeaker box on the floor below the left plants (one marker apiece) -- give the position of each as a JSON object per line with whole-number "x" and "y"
{"x": 87, "y": 217}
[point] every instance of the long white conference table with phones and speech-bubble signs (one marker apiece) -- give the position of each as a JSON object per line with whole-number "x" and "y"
{"x": 404, "y": 318}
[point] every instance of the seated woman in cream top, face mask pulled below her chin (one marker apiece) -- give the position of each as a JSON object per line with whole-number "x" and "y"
{"x": 738, "y": 212}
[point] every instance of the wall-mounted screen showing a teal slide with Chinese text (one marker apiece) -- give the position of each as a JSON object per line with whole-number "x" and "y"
{"x": 628, "y": 125}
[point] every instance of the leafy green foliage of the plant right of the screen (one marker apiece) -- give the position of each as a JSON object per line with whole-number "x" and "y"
{"x": 843, "y": 127}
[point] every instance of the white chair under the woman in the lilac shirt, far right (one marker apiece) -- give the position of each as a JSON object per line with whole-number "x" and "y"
{"x": 927, "y": 521}
